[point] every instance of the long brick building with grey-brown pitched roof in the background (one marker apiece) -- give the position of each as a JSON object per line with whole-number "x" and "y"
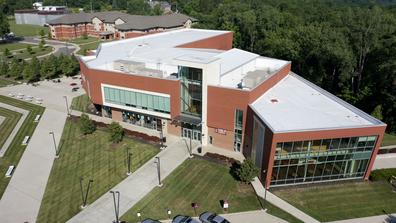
{"x": 115, "y": 25}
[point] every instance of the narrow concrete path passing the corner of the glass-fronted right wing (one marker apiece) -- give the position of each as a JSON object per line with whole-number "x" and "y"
{"x": 259, "y": 188}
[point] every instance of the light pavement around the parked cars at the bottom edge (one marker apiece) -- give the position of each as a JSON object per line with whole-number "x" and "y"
{"x": 259, "y": 216}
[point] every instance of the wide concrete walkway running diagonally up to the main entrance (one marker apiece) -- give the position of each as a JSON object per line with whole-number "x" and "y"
{"x": 136, "y": 186}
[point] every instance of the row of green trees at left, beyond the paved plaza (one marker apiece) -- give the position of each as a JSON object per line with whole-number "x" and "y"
{"x": 35, "y": 69}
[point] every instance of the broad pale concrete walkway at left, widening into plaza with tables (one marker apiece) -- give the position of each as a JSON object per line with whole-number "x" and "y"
{"x": 22, "y": 197}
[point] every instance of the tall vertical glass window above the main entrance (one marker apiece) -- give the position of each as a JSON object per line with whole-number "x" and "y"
{"x": 191, "y": 90}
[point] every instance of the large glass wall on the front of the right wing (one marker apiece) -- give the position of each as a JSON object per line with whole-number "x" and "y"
{"x": 321, "y": 160}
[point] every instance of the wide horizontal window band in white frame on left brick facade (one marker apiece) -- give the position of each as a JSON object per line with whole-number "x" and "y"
{"x": 137, "y": 100}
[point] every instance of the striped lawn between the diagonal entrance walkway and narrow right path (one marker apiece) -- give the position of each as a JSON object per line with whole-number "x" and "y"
{"x": 201, "y": 181}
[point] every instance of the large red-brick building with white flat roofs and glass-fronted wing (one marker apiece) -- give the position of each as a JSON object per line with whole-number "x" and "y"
{"x": 193, "y": 84}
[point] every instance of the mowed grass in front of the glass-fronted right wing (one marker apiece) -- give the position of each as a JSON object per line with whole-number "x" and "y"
{"x": 342, "y": 201}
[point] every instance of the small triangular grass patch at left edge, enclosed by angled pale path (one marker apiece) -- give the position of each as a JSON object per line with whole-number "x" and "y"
{"x": 8, "y": 124}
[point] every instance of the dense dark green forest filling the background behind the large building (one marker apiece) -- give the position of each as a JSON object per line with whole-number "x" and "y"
{"x": 347, "y": 47}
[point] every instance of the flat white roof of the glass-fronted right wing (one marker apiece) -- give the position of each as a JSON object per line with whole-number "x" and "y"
{"x": 295, "y": 104}
